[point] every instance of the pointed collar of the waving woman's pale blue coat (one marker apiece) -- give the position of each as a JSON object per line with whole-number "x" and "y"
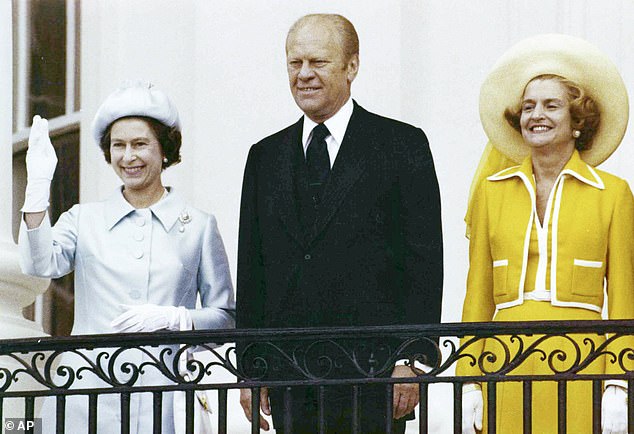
{"x": 167, "y": 210}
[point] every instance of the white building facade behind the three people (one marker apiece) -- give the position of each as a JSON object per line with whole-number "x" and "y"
{"x": 223, "y": 64}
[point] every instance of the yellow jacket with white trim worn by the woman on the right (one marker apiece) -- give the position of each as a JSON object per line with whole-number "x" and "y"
{"x": 592, "y": 241}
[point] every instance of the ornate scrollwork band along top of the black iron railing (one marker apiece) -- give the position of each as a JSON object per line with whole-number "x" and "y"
{"x": 310, "y": 356}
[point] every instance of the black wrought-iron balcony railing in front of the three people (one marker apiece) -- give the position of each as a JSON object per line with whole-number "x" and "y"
{"x": 128, "y": 364}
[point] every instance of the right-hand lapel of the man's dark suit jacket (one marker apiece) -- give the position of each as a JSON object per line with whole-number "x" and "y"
{"x": 349, "y": 165}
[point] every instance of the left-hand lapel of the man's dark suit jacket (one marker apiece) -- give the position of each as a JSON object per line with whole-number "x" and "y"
{"x": 288, "y": 159}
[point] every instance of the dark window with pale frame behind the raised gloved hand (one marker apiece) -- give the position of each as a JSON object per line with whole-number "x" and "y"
{"x": 46, "y": 82}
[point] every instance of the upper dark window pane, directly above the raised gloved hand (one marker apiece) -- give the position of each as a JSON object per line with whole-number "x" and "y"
{"x": 48, "y": 58}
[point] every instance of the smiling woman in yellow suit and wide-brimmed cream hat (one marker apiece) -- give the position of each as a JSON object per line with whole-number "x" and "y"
{"x": 547, "y": 234}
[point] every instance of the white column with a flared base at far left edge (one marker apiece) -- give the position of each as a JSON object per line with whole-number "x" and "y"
{"x": 16, "y": 289}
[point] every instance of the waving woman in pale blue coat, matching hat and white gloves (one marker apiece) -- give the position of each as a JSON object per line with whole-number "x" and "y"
{"x": 141, "y": 258}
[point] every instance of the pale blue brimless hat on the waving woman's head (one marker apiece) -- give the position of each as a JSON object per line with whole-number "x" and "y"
{"x": 134, "y": 98}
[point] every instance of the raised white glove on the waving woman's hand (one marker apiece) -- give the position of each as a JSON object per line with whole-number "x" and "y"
{"x": 40, "y": 167}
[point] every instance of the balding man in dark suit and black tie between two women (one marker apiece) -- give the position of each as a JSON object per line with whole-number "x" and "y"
{"x": 339, "y": 225}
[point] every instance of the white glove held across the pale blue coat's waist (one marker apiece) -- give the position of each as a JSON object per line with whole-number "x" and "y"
{"x": 150, "y": 318}
